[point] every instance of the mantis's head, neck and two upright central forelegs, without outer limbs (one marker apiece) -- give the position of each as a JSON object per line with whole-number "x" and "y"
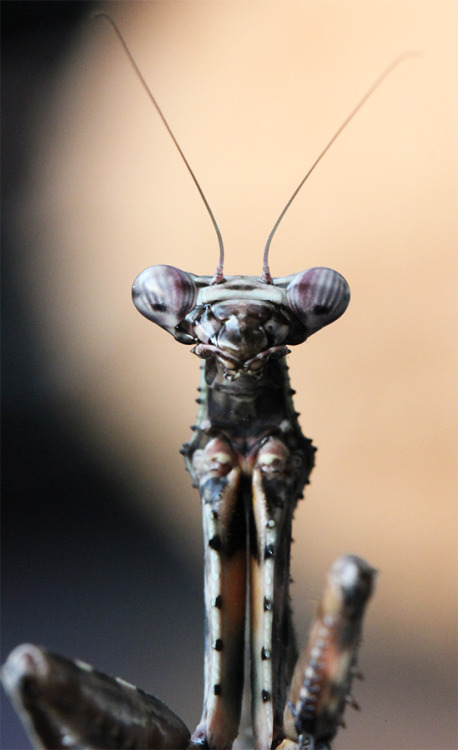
{"x": 250, "y": 461}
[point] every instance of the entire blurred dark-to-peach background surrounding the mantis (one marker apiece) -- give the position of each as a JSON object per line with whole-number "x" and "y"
{"x": 102, "y": 540}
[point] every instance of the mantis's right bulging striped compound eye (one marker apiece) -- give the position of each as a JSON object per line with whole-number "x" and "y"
{"x": 317, "y": 297}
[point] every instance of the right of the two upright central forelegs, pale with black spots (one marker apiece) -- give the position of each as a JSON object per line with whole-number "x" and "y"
{"x": 279, "y": 475}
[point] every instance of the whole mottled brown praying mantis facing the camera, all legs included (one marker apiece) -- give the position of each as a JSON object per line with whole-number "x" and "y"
{"x": 247, "y": 530}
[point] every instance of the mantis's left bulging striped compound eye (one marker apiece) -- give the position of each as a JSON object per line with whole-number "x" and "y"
{"x": 165, "y": 295}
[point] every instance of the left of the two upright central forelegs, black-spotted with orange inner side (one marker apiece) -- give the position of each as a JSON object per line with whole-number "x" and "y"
{"x": 214, "y": 469}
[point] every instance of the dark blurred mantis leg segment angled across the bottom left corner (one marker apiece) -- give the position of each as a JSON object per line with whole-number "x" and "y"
{"x": 66, "y": 704}
